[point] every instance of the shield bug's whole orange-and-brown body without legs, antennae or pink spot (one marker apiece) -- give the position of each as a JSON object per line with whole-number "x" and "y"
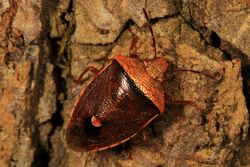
{"x": 125, "y": 96}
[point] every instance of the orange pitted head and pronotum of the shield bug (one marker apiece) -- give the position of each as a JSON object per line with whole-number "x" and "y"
{"x": 148, "y": 76}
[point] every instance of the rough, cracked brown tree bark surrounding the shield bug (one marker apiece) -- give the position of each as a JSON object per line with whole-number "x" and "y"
{"x": 42, "y": 41}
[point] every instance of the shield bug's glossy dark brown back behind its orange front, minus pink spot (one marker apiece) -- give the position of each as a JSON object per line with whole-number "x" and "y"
{"x": 114, "y": 100}
